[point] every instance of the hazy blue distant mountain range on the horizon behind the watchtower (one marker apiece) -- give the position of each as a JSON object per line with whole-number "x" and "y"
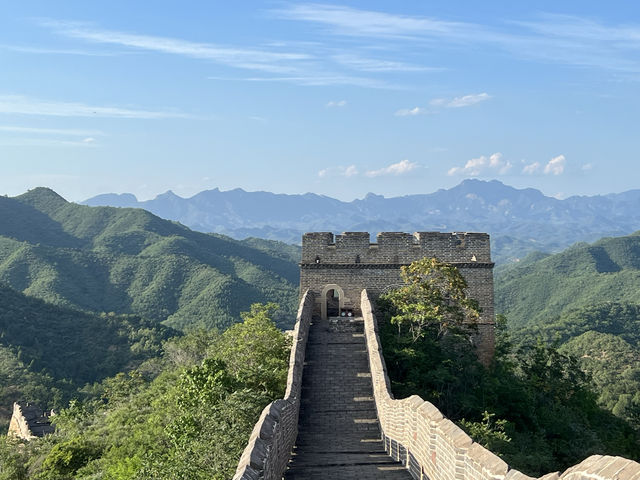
{"x": 520, "y": 220}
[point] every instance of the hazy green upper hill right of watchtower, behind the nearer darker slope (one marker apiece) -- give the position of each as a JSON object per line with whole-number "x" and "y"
{"x": 543, "y": 287}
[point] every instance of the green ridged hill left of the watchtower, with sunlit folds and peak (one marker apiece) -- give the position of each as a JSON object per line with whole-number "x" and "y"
{"x": 128, "y": 261}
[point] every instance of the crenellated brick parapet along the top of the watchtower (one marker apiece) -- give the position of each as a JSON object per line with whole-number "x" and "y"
{"x": 394, "y": 248}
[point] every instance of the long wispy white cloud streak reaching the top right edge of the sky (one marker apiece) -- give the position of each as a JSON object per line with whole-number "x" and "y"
{"x": 565, "y": 39}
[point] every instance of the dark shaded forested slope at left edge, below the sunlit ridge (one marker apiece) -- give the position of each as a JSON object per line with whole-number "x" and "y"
{"x": 48, "y": 352}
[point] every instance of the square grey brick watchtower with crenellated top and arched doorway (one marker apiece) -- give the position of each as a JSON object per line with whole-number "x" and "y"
{"x": 337, "y": 269}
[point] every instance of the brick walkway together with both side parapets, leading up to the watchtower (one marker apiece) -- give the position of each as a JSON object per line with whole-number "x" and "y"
{"x": 340, "y": 420}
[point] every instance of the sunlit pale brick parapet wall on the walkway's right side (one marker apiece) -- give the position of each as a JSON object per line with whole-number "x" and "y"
{"x": 432, "y": 447}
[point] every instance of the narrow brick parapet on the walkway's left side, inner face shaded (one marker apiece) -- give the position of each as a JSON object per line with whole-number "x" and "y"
{"x": 273, "y": 437}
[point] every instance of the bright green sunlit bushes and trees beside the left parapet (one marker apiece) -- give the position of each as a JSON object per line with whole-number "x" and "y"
{"x": 187, "y": 414}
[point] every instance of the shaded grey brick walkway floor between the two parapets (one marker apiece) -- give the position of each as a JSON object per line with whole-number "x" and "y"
{"x": 339, "y": 435}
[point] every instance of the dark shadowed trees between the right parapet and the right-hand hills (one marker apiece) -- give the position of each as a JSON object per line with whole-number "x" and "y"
{"x": 534, "y": 405}
